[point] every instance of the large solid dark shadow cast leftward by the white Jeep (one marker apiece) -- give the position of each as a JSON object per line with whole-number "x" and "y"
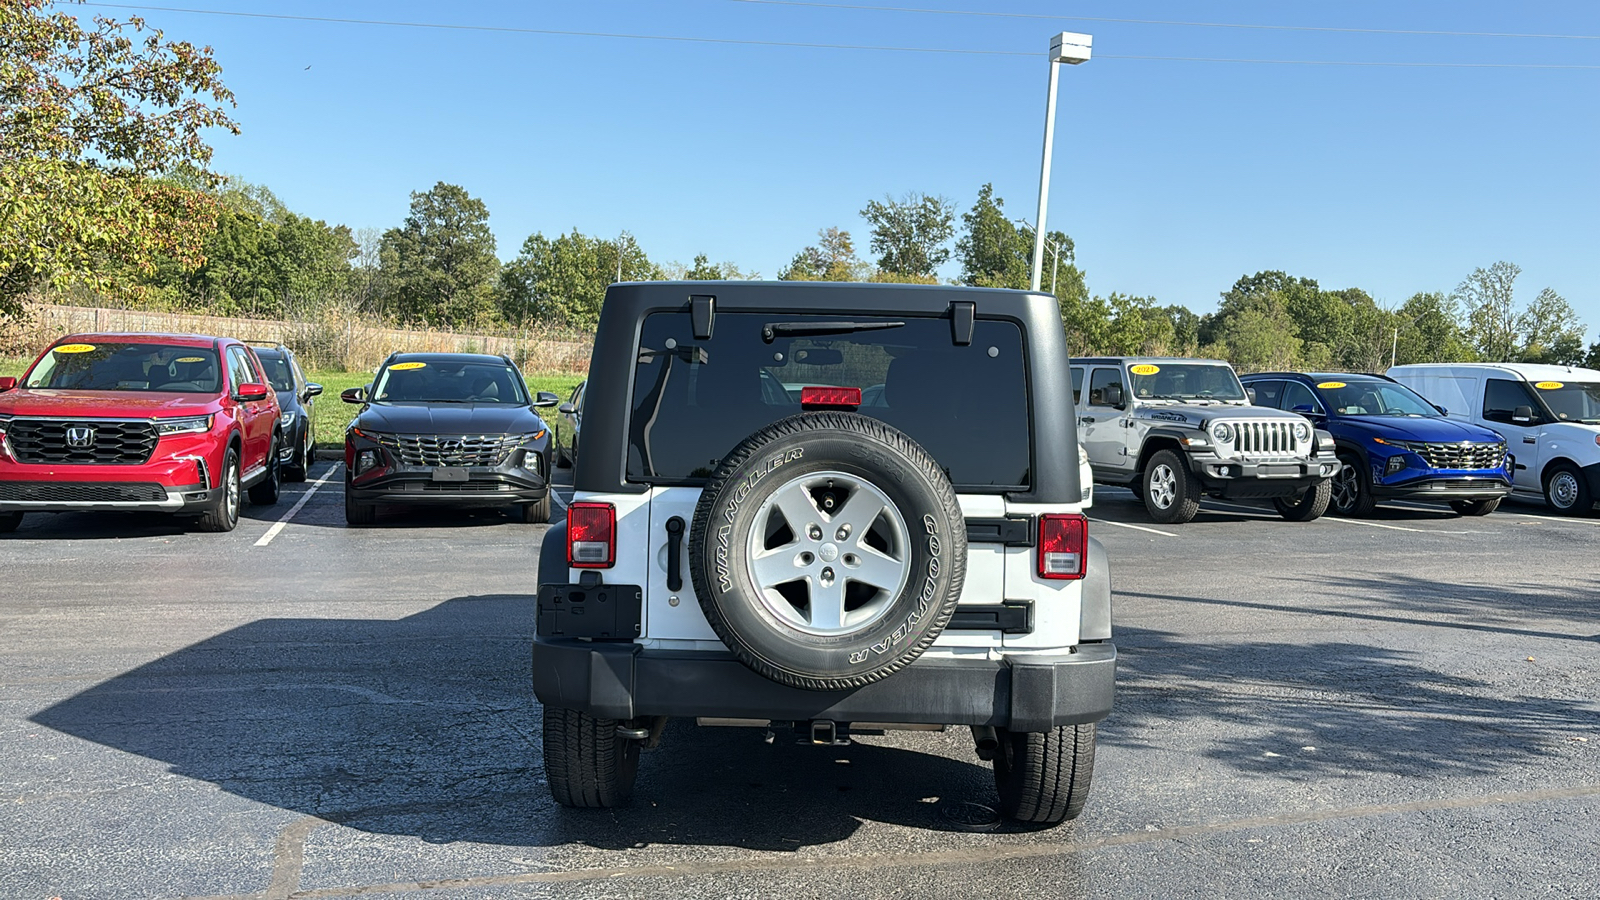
{"x": 426, "y": 726}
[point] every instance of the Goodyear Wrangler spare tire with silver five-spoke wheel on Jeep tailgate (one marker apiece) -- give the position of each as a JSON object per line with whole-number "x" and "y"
{"x": 828, "y": 552}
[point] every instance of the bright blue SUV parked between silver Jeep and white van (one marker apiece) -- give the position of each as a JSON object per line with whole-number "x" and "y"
{"x": 1393, "y": 444}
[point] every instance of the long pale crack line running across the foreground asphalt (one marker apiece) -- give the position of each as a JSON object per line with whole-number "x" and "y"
{"x": 290, "y": 853}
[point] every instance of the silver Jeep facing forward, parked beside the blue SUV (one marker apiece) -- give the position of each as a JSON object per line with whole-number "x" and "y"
{"x": 1174, "y": 430}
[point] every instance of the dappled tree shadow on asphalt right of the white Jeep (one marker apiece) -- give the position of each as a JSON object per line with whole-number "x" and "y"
{"x": 1334, "y": 710}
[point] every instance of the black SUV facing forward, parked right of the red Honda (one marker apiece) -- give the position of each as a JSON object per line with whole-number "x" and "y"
{"x": 447, "y": 430}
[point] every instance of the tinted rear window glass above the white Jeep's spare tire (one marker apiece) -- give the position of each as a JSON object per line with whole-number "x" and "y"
{"x": 694, "y": 401}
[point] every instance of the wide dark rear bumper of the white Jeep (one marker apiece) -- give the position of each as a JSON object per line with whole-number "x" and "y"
{"x": 1023, "y": 693}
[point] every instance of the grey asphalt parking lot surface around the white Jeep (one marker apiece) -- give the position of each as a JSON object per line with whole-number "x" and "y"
{"x": 1399, "y": 707}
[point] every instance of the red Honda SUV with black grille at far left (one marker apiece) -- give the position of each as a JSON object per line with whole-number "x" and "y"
{"x": 174, "y": 424}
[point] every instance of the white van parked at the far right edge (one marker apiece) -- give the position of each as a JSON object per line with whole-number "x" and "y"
{"x": 1550, "y": 417}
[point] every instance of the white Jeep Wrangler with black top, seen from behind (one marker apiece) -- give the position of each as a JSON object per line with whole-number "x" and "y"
{"x": 836, "y": 508}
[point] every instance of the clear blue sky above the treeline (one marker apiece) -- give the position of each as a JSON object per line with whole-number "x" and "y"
{"x": 1174, "y": 177}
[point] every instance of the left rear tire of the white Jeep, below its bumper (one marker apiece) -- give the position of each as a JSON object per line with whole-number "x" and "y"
{"x": 586, "y": 763}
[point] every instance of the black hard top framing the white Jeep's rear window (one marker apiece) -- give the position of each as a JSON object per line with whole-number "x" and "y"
{"x": 607, "y": 398}
